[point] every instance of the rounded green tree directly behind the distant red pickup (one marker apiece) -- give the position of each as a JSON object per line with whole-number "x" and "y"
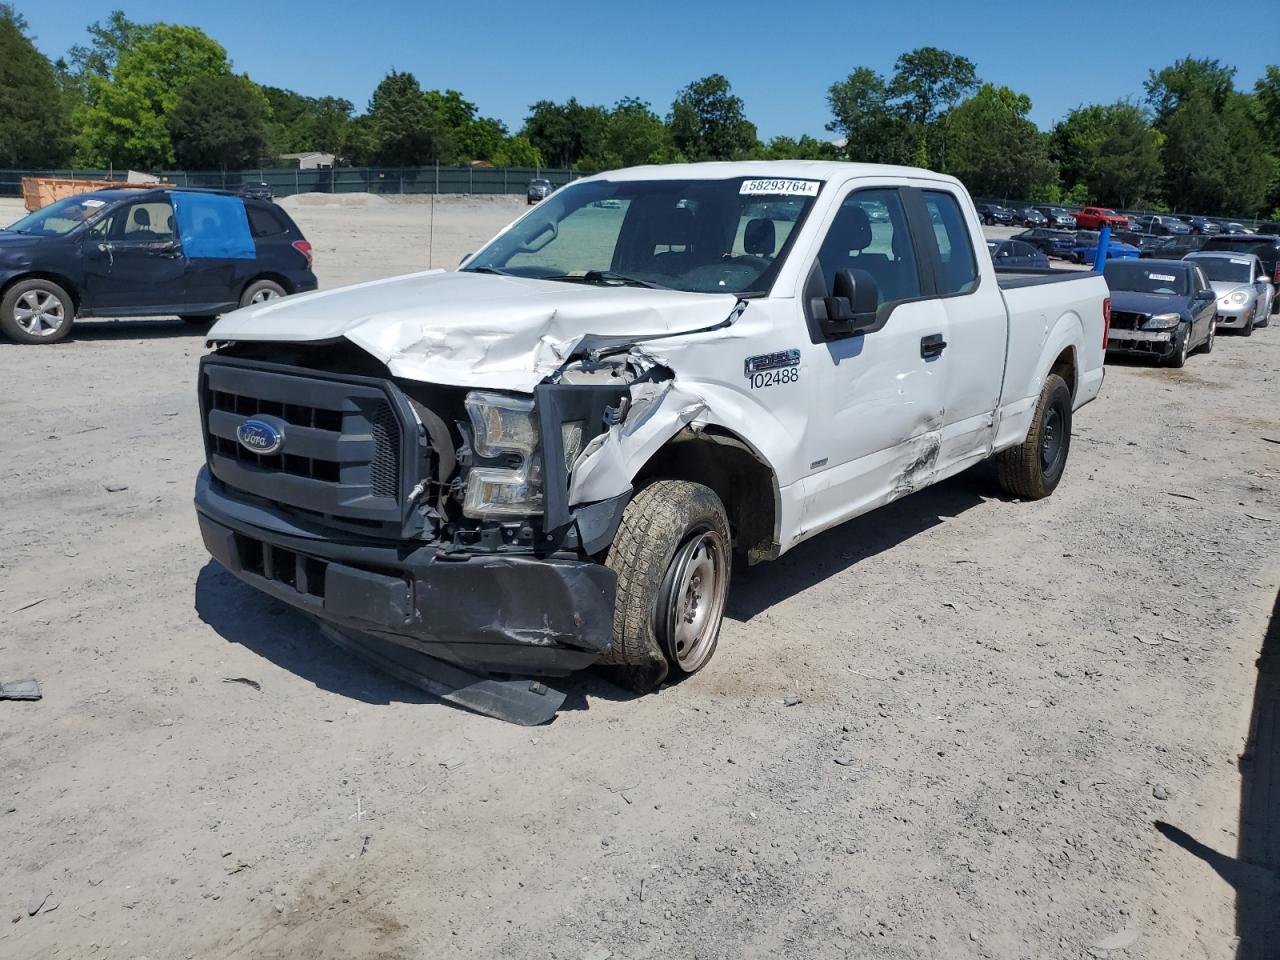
{"x": 1113, "y": 150}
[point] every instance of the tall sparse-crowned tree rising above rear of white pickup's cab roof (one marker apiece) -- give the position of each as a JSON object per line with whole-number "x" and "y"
{"x": 927, "y": 86}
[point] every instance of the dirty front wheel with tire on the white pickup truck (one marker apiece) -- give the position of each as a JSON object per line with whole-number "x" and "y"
{"x": 671, "y": 556}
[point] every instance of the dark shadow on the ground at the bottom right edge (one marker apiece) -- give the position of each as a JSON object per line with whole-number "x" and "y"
{"x": 1255, "y": 871}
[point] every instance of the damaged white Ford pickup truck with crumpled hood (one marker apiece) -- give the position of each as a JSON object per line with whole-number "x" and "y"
{"x": 550, "y": 458}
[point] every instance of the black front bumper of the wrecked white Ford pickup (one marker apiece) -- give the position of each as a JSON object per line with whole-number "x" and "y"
{"x": 486, "y": 614}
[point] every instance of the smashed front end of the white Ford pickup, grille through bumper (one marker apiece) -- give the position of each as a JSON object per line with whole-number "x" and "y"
{"x": 451, "y": 537}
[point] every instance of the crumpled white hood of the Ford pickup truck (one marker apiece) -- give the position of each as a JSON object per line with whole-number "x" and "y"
{"x": 472, "y": 330}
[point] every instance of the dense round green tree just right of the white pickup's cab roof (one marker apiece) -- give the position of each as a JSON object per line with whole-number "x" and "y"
{"x": 995, "y": 149}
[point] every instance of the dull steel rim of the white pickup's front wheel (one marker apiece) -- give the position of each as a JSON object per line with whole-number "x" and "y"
{"x": 696, "y": 602}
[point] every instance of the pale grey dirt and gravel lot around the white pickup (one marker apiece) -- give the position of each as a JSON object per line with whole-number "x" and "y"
{"x": 993, "y": 698}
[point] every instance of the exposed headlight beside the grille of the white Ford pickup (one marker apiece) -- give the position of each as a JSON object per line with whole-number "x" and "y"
{"x": 504, "y": 428}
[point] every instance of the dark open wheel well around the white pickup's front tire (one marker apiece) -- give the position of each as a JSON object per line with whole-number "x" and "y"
{"x": 739, "y": 477}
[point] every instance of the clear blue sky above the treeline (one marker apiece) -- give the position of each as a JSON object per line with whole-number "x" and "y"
{"x": 781, "y": 58}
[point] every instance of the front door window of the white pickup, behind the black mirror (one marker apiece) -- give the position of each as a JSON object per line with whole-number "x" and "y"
{"x": 870, "y": 234}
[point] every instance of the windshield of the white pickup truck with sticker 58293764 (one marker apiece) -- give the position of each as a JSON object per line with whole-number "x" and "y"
{"x": 700, "y": 236}
